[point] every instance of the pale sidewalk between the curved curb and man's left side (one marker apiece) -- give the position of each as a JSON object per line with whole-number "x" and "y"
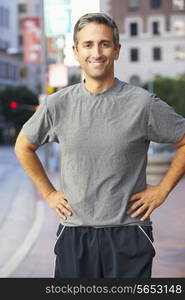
{"x": 39, "y": 262}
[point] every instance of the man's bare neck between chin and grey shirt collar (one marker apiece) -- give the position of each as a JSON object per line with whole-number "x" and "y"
{"x": 98, "y": 86}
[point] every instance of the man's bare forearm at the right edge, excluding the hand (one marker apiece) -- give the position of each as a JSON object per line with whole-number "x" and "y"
{"x": 175, "y": 171}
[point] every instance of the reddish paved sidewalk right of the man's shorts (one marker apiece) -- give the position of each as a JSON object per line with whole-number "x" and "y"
{"x": 169, "y": 235}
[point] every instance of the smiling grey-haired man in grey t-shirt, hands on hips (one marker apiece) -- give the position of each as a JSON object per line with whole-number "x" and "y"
{"x": 104, "y": 127}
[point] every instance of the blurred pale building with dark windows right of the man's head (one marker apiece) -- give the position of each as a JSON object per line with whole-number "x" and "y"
{"x": 152, "y": 35}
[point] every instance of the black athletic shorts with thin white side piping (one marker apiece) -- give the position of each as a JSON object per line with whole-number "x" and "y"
{"x": 109, "y": 252}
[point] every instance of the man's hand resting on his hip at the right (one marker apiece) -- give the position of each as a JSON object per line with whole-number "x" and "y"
{"x": 146, "y": 201}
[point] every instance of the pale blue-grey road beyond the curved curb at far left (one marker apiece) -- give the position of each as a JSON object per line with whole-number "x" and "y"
{"x": 17, "y": 208}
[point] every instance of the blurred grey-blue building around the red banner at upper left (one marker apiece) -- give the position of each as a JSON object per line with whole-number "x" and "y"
{"x": 13, "y": 70}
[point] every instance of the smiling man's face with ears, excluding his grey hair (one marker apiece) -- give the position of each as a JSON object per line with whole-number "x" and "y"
{"x": 96, "y": 51}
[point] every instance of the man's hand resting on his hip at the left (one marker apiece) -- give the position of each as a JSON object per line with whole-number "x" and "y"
{"x": 57, "y": 200}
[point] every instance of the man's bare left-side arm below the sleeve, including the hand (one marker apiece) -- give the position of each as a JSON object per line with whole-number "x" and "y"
{"x": 26, "y": 153}
